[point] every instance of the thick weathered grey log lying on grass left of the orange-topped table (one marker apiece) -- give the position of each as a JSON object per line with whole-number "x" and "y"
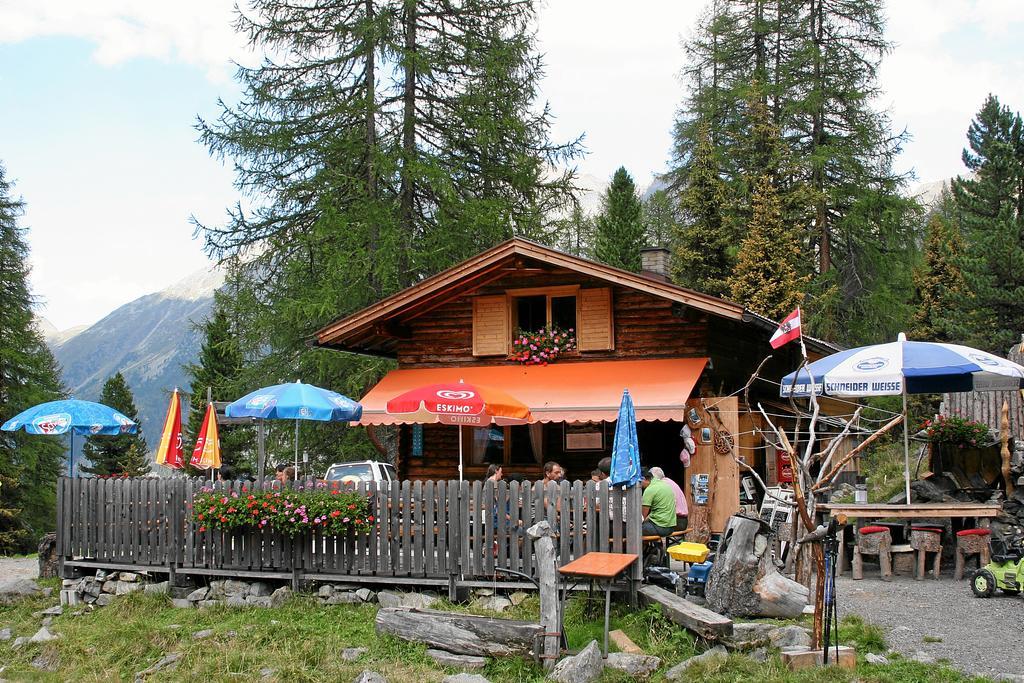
{"x": 462, "y": 634}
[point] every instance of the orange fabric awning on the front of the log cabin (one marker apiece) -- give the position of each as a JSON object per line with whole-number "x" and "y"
{"x": 562, "y": 393}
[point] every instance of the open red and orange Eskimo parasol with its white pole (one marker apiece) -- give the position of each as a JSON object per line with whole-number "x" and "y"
{"x": 459, "y": 404}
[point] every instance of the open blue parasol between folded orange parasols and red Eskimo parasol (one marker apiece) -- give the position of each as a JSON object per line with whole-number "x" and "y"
{"x": 295, "y": 401}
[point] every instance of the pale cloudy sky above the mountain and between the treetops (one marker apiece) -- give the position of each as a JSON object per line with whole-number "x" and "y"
{"x": 99, "y": 102}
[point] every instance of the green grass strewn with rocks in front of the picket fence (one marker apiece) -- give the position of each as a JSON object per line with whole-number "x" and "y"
{"x": 304, "y": 642}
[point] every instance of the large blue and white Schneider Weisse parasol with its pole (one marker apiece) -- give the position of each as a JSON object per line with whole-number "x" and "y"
{"x": 904, "y": 368}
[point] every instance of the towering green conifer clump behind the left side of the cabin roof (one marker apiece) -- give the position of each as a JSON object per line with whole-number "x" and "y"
{"x": 392, "y": 140}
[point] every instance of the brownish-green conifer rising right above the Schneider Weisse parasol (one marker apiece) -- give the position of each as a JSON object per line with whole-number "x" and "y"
{"x": 942, "y": 288}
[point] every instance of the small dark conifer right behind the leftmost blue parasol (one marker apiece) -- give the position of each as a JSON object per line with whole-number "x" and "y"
{"x": 124, "y": 454}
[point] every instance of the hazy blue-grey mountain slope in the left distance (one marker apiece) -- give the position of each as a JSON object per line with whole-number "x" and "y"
{"x": 150, "y": 340}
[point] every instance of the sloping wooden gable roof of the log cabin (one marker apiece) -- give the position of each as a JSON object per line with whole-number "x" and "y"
{"x": 376, "y": 329}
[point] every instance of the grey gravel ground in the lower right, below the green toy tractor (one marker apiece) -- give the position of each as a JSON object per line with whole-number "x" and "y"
{"x": 979, "y": 636}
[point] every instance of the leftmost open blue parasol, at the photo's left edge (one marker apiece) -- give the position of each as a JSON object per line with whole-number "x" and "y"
{"x": 77, "y": 417}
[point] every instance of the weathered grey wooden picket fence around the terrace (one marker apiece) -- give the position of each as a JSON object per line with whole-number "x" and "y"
{"x": 437, "y": 533}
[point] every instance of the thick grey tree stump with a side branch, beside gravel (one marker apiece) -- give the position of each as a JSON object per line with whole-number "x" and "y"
{"x": 744, "y": 582}
